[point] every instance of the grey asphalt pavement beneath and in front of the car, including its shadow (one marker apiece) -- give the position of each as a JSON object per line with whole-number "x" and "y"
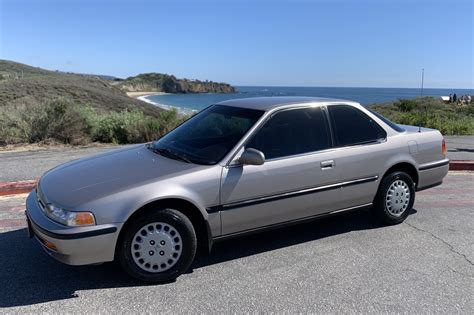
{"x": 348, "y": 263}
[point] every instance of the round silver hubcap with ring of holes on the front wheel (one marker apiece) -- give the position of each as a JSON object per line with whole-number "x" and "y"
{"x": 156, "y": 247}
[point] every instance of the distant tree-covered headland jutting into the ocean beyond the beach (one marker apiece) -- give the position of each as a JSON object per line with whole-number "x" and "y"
{"x": 158, "y": 82}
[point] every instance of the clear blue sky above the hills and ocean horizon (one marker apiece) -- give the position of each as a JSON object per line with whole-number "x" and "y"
{"x": 374, "y": 43}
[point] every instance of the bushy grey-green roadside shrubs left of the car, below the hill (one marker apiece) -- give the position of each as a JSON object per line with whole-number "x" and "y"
{"x": 61, "y": 121}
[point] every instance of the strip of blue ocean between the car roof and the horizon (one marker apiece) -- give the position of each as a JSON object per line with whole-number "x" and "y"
{"x": 188, "y": 103}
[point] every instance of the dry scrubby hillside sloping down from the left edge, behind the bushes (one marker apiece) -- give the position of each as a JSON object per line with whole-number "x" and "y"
{"x": 23, "y": 84}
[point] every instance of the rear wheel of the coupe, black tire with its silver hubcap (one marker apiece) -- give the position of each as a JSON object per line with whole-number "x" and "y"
{"x": 395, "y": 198}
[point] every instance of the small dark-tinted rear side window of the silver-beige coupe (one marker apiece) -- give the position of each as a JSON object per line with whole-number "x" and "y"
{"x": 352, "y": 126}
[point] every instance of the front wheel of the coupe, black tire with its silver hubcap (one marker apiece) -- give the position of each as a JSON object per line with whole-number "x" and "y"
{"x": 158, "y": 246}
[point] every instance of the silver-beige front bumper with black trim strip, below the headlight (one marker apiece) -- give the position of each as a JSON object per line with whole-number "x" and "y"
{"x": 73, "y": 245}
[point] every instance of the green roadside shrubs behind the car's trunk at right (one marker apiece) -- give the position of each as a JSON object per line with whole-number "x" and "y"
{"x": 430, "y": 112}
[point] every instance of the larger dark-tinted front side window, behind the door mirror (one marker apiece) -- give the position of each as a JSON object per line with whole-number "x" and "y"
{"x": 292, "y": 132}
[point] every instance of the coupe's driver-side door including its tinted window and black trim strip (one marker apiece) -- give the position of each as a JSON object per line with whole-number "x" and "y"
{"x": 290, "y": 185}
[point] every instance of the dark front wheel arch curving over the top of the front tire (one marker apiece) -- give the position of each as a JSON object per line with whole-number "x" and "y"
{"x": 200, "y": 224}
